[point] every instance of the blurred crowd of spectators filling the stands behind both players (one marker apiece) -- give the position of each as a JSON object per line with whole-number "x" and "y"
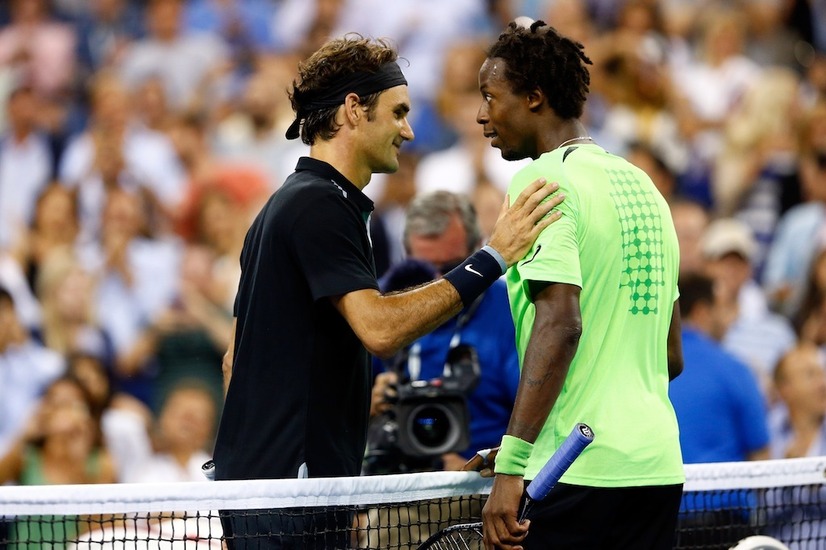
{"x": 138, "y": 138}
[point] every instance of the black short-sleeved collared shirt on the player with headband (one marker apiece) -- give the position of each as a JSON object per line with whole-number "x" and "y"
{"x": 300, "y": 388}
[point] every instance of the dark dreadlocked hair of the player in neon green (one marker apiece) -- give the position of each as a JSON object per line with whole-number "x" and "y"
{"x": 540, "y": 57}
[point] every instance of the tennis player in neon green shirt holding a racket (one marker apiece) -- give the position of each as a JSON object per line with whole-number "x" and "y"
{"x": 594, "y": 308}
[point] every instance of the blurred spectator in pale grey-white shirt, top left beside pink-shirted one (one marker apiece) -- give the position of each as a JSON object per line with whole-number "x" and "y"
{"x": 187, "y": 62}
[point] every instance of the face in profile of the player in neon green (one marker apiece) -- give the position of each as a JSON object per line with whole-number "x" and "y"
{"x": 501, "y": 110}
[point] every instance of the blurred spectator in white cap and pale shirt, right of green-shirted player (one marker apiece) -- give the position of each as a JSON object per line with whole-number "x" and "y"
{"x": 750, "y": 331}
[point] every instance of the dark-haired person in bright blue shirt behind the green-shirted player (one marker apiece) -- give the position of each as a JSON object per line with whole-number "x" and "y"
{"x": 721, "y": 413}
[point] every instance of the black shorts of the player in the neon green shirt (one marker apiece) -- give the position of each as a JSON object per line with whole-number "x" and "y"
{"x": 593, "y": 518}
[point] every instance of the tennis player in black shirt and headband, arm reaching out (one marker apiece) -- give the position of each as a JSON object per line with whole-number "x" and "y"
{"x": 308, "y": 311}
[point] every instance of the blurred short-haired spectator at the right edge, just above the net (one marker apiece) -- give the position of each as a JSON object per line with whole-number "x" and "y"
{"x": 798, "y": 424}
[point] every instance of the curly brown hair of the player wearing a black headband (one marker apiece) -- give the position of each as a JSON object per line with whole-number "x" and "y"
{"x": 336, "y": 59}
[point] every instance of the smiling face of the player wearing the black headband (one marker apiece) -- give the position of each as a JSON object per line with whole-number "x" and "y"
{"x": 387, "y": 129}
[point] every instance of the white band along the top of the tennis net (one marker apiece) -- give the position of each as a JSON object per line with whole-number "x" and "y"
{"x": 354, "y": 491}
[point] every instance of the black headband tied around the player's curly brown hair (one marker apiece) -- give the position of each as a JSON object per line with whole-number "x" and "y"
{"x": 361, "y": 83}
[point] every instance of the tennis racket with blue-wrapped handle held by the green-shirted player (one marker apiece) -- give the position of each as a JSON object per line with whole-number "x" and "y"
{"x": 469, "y": 535}
